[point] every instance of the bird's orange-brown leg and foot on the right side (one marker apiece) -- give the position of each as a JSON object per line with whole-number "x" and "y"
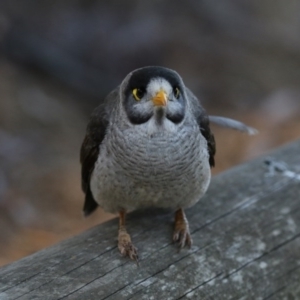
{"x": 181, "y": 233}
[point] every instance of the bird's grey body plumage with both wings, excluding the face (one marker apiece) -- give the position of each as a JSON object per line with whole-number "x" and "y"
{"x": 133, "y": 166}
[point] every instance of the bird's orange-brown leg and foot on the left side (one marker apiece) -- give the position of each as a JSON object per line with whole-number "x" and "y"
{"x": 125, "y": 246}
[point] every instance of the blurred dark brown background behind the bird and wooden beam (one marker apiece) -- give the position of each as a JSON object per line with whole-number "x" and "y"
{"x": 59, "y": 58}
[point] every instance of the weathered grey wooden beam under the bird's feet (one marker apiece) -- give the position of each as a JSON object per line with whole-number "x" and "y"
{"x": 246, "y": 233}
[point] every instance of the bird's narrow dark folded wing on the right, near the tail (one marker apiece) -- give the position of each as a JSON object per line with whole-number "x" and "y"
{"x": 203, "y": 122}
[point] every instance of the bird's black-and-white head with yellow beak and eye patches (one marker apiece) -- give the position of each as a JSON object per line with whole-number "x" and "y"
{"x": 153, "y": 93}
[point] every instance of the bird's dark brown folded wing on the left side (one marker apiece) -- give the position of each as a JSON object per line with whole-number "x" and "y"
{"x": 91, "y": 146}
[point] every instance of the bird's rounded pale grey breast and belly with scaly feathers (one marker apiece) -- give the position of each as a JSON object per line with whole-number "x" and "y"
{"x": 164, "y": 169}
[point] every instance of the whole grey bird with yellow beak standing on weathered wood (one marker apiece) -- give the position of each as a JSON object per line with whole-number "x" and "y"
{"x": 149, "y": 144}
